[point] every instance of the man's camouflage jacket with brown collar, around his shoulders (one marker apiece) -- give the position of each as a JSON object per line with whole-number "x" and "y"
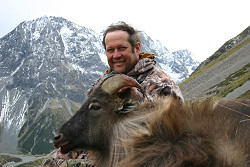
{"x": 149, "y": 76}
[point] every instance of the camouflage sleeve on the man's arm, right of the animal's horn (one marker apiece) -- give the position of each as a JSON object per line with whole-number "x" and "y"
{"x": 159, "y": 83}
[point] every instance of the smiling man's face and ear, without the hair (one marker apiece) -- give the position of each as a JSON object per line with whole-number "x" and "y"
{"x": 120, "y": 57}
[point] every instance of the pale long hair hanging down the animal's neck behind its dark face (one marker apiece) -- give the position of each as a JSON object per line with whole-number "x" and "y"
{"x": 117, "y": 151}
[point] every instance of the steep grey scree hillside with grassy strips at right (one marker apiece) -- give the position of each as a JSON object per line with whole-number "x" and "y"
{"x": 225, "y": 74}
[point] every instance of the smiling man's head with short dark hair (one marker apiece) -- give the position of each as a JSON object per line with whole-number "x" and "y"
{"x": 122, "y": 45}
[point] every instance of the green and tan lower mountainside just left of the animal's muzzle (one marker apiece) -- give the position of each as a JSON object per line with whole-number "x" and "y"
{"x": 36, "y": 135}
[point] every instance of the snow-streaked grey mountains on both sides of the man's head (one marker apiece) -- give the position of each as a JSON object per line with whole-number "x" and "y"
{"x": 46, "y": 67}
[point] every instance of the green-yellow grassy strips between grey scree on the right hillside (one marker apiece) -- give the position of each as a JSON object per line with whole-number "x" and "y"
{"x": 234, "y": 80}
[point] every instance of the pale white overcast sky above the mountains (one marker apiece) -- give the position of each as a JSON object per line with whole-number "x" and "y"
{"x": 201, "y": 26}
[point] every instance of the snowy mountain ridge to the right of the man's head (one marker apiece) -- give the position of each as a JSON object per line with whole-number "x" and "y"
{"x": 179, "y": 65}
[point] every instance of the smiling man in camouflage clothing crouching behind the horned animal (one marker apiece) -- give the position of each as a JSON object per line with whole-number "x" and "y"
{"x": 123, "y": 49}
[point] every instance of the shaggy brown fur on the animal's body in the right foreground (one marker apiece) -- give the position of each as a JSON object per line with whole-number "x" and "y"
{"x": 196, "y": 134}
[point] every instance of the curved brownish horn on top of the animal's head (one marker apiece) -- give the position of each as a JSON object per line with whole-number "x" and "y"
{"x": 115, "y": 82}
